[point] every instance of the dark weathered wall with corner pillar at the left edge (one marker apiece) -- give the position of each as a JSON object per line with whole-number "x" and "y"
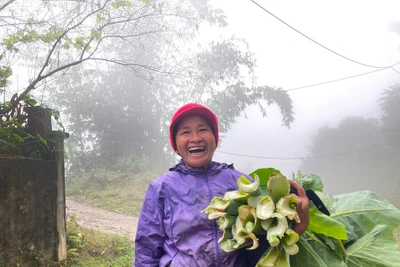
{"x": 30, "y": 212}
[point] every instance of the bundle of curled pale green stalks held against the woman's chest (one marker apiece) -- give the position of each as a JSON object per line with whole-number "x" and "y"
{"x": 258, "y": 212}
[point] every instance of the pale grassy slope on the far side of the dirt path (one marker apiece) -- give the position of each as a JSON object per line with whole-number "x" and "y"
{"x": 111, "y": 190}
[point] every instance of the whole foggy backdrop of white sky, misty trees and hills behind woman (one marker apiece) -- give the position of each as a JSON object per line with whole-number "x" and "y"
{"x": 334, "y": 61}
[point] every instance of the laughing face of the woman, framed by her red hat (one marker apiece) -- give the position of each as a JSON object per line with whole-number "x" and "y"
{"x": 195, "y": 141}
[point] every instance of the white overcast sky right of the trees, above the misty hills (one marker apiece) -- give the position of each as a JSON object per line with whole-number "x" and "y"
{"x": 359, "y": 30}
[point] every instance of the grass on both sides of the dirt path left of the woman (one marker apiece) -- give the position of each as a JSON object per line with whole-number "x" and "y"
{"x": 113, "y": 191}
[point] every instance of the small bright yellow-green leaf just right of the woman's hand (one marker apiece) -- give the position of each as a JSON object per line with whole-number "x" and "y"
{"x": 323, "y": 224}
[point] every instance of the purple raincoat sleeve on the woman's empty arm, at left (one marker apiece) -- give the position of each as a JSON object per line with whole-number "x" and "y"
{"x": 150, "y": 233}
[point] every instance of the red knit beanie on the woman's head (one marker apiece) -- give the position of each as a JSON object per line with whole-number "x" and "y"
{"x": 193, "y": 109}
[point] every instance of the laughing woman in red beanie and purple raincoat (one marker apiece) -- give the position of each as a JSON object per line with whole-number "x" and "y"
{"x": 172, "y": 230}
